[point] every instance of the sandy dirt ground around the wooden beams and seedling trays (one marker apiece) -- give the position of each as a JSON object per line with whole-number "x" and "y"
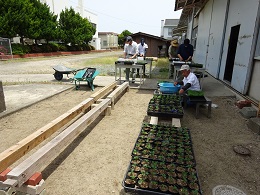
{"x": 96, "y": 161}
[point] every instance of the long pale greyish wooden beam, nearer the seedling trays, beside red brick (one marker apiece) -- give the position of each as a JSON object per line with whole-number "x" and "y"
{"x": 36, "y": 161}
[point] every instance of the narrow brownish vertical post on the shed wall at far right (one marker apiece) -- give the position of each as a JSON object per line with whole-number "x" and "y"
{"x": 252, "y": 53}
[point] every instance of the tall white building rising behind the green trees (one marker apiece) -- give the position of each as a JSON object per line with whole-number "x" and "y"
{"x": 56, "y": 6}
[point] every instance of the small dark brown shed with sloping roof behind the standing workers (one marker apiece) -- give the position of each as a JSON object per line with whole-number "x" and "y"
{"x": 157, "y": 46}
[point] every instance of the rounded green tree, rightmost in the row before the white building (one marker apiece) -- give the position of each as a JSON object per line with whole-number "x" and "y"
{"x": 73, "y": 28}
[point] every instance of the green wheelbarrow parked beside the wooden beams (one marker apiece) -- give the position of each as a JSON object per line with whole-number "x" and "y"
{"x": 87, "y": 74}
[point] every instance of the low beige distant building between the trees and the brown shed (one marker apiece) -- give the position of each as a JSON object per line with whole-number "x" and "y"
{"x": 109, "y": 40}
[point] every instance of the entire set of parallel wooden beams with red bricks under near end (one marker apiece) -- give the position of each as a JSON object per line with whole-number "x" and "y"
{"x": 26, "y": 176}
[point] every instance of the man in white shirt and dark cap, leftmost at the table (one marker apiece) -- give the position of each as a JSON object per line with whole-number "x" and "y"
{"x": 130, "y": 52}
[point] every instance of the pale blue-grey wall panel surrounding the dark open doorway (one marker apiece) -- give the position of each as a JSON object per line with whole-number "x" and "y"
{"x": 243, "y": 13}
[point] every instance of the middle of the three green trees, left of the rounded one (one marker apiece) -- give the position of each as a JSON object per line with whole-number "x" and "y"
{"x": 44, "y": 24}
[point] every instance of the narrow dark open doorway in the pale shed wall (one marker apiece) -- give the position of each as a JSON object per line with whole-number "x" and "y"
{"x": 231, "y": 52}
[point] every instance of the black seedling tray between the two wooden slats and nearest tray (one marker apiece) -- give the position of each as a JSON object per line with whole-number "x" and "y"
{"x": 165, "y": 143}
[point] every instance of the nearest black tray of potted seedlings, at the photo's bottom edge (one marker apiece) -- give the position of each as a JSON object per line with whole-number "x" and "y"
{"x": 147, "y": 176}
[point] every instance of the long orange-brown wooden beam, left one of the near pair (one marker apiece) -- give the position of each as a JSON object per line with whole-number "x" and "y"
{"x": 18, "y": 150}
